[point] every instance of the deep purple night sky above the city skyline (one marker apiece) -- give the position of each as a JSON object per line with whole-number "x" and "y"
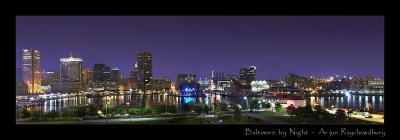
{"x": 277, "y": 45}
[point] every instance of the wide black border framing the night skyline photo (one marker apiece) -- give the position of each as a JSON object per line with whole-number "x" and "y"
{"x": 116, "y": 132}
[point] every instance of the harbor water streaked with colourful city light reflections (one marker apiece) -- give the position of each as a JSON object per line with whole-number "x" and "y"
{"x": 139, "y": 101}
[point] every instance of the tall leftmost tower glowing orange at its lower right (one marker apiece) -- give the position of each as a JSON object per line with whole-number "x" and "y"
{"x": 31, "y": 70}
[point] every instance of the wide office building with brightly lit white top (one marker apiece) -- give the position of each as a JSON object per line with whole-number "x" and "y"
{"x": 70, "y": 69}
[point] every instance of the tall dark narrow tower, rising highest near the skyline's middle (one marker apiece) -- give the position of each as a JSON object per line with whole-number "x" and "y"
{"x": 144, "y": 73}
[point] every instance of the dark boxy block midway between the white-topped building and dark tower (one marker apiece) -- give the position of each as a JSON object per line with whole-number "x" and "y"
{"x": 101, "y": 73}
